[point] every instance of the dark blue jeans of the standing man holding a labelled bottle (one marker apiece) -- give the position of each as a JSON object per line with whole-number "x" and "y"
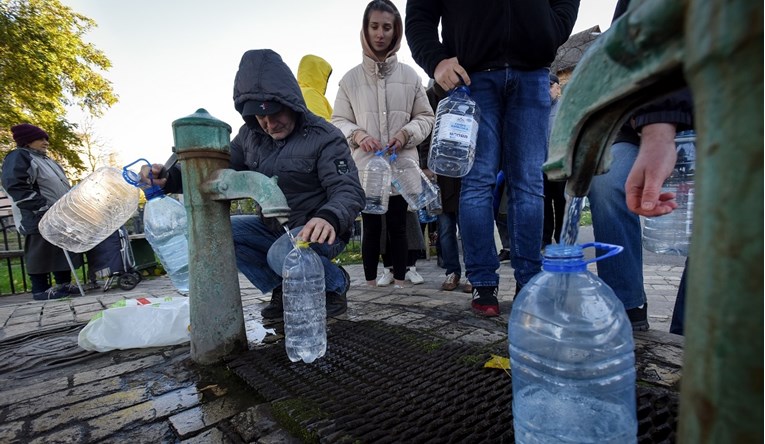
{"x": 515, "y": 109}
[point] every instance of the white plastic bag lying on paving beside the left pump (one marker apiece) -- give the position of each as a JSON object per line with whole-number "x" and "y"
{"x": 138, "y": 323}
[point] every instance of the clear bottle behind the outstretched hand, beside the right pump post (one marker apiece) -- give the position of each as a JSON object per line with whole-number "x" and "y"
{"x": 671, "y": 233}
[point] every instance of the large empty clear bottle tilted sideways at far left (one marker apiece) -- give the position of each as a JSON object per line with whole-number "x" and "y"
{"x": 90, "y": 212}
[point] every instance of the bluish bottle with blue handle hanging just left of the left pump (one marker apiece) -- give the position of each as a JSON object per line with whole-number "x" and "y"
{"x": 166, "y": 229}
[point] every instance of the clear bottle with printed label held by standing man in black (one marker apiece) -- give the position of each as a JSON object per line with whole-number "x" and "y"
{"x": 452, "y": 149}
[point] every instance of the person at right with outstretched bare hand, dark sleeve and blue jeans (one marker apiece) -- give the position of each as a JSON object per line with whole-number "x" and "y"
{"x": 651, "y": 129}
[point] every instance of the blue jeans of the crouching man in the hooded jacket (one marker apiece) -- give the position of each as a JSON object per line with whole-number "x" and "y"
{"x": 260, "y": 254}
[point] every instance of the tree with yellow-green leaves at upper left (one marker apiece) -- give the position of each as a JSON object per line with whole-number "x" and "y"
{"x": 46, "y": 66}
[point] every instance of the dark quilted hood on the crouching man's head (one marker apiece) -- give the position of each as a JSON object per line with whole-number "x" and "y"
{"x": 263, "y": 76}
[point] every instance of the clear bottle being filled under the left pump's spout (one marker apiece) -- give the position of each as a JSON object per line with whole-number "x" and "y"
{"x": 305, "y": 313}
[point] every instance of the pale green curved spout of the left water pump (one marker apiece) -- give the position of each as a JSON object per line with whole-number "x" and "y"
{"x": 227, "y": 184}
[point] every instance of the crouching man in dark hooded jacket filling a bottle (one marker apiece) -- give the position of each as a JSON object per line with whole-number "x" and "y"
{"x": 316, "y": 173}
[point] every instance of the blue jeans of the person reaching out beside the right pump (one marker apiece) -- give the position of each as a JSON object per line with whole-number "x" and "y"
{"x": 614, "y": 223}
